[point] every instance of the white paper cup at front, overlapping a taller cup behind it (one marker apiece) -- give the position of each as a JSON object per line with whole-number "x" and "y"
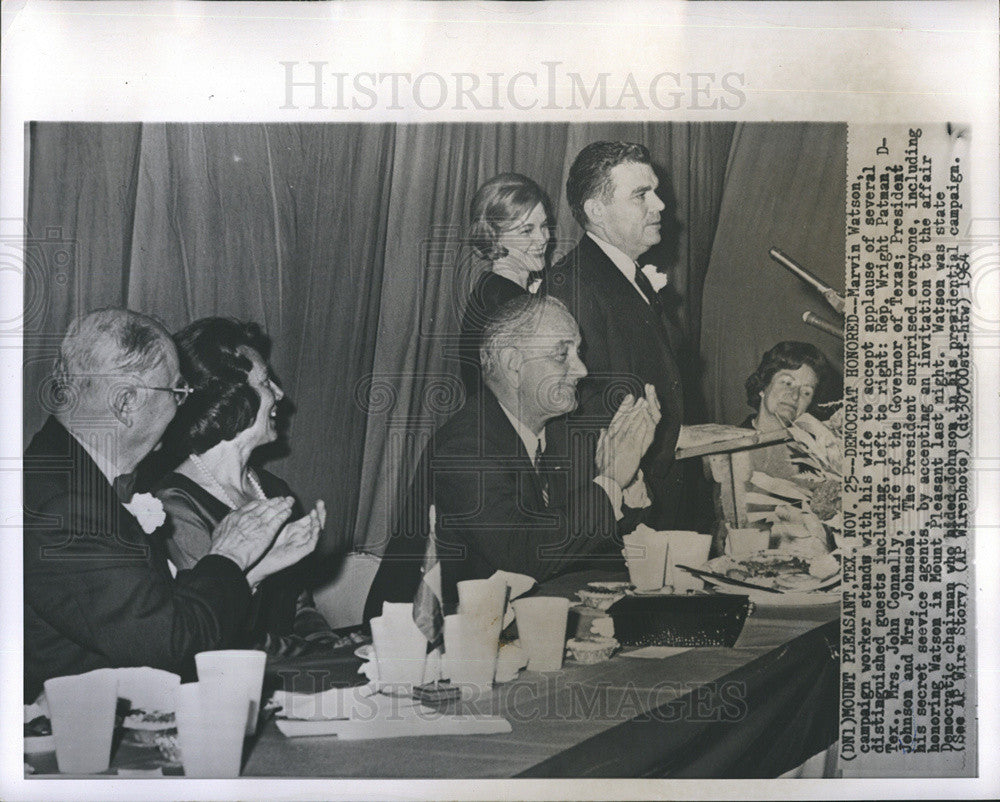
{"x": 211, "y": 723}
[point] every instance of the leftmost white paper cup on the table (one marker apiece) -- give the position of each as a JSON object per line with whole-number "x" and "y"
{"x": 82, "y": 711}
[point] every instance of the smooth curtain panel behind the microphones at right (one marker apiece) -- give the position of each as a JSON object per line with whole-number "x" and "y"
{"x": 784, "y": 189}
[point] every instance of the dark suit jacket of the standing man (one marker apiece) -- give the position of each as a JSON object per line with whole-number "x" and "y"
{"x": 625, "y": 345}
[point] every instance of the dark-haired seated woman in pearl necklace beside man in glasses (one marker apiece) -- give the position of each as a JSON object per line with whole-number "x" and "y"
{"x": 231, "y": 411}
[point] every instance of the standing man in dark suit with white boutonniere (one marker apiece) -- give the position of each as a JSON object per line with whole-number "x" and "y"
{"x": 611, "y": 190}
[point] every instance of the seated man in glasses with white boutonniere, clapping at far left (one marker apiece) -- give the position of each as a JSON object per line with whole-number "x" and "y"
{"x": 98, "y": 591}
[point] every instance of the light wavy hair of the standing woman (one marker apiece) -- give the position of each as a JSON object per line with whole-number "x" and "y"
{"x": 497, "y": 206}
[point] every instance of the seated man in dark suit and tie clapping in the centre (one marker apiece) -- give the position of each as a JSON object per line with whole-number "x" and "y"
{"x": 504, "y": 473}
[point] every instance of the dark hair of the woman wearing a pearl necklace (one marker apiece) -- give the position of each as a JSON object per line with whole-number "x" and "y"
{"x": 214, "y": 362}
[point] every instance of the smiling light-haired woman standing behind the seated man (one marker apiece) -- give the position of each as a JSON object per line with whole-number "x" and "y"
{"x": 509, "y": 230}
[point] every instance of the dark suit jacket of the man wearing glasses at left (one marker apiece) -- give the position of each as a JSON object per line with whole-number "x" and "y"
{"x": 97, "y": 591}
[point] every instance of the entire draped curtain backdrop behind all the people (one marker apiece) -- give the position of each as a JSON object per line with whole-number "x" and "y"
{"x": 344, "y": 242}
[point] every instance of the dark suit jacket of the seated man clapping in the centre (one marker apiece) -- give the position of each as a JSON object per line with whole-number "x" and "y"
{"x": 490, "y": 510}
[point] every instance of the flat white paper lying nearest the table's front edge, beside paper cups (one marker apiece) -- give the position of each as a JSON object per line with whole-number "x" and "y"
{"x": 398, "y": 726}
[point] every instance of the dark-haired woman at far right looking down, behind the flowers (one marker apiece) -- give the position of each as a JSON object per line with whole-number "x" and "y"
{"x": 789, "y": 378}
